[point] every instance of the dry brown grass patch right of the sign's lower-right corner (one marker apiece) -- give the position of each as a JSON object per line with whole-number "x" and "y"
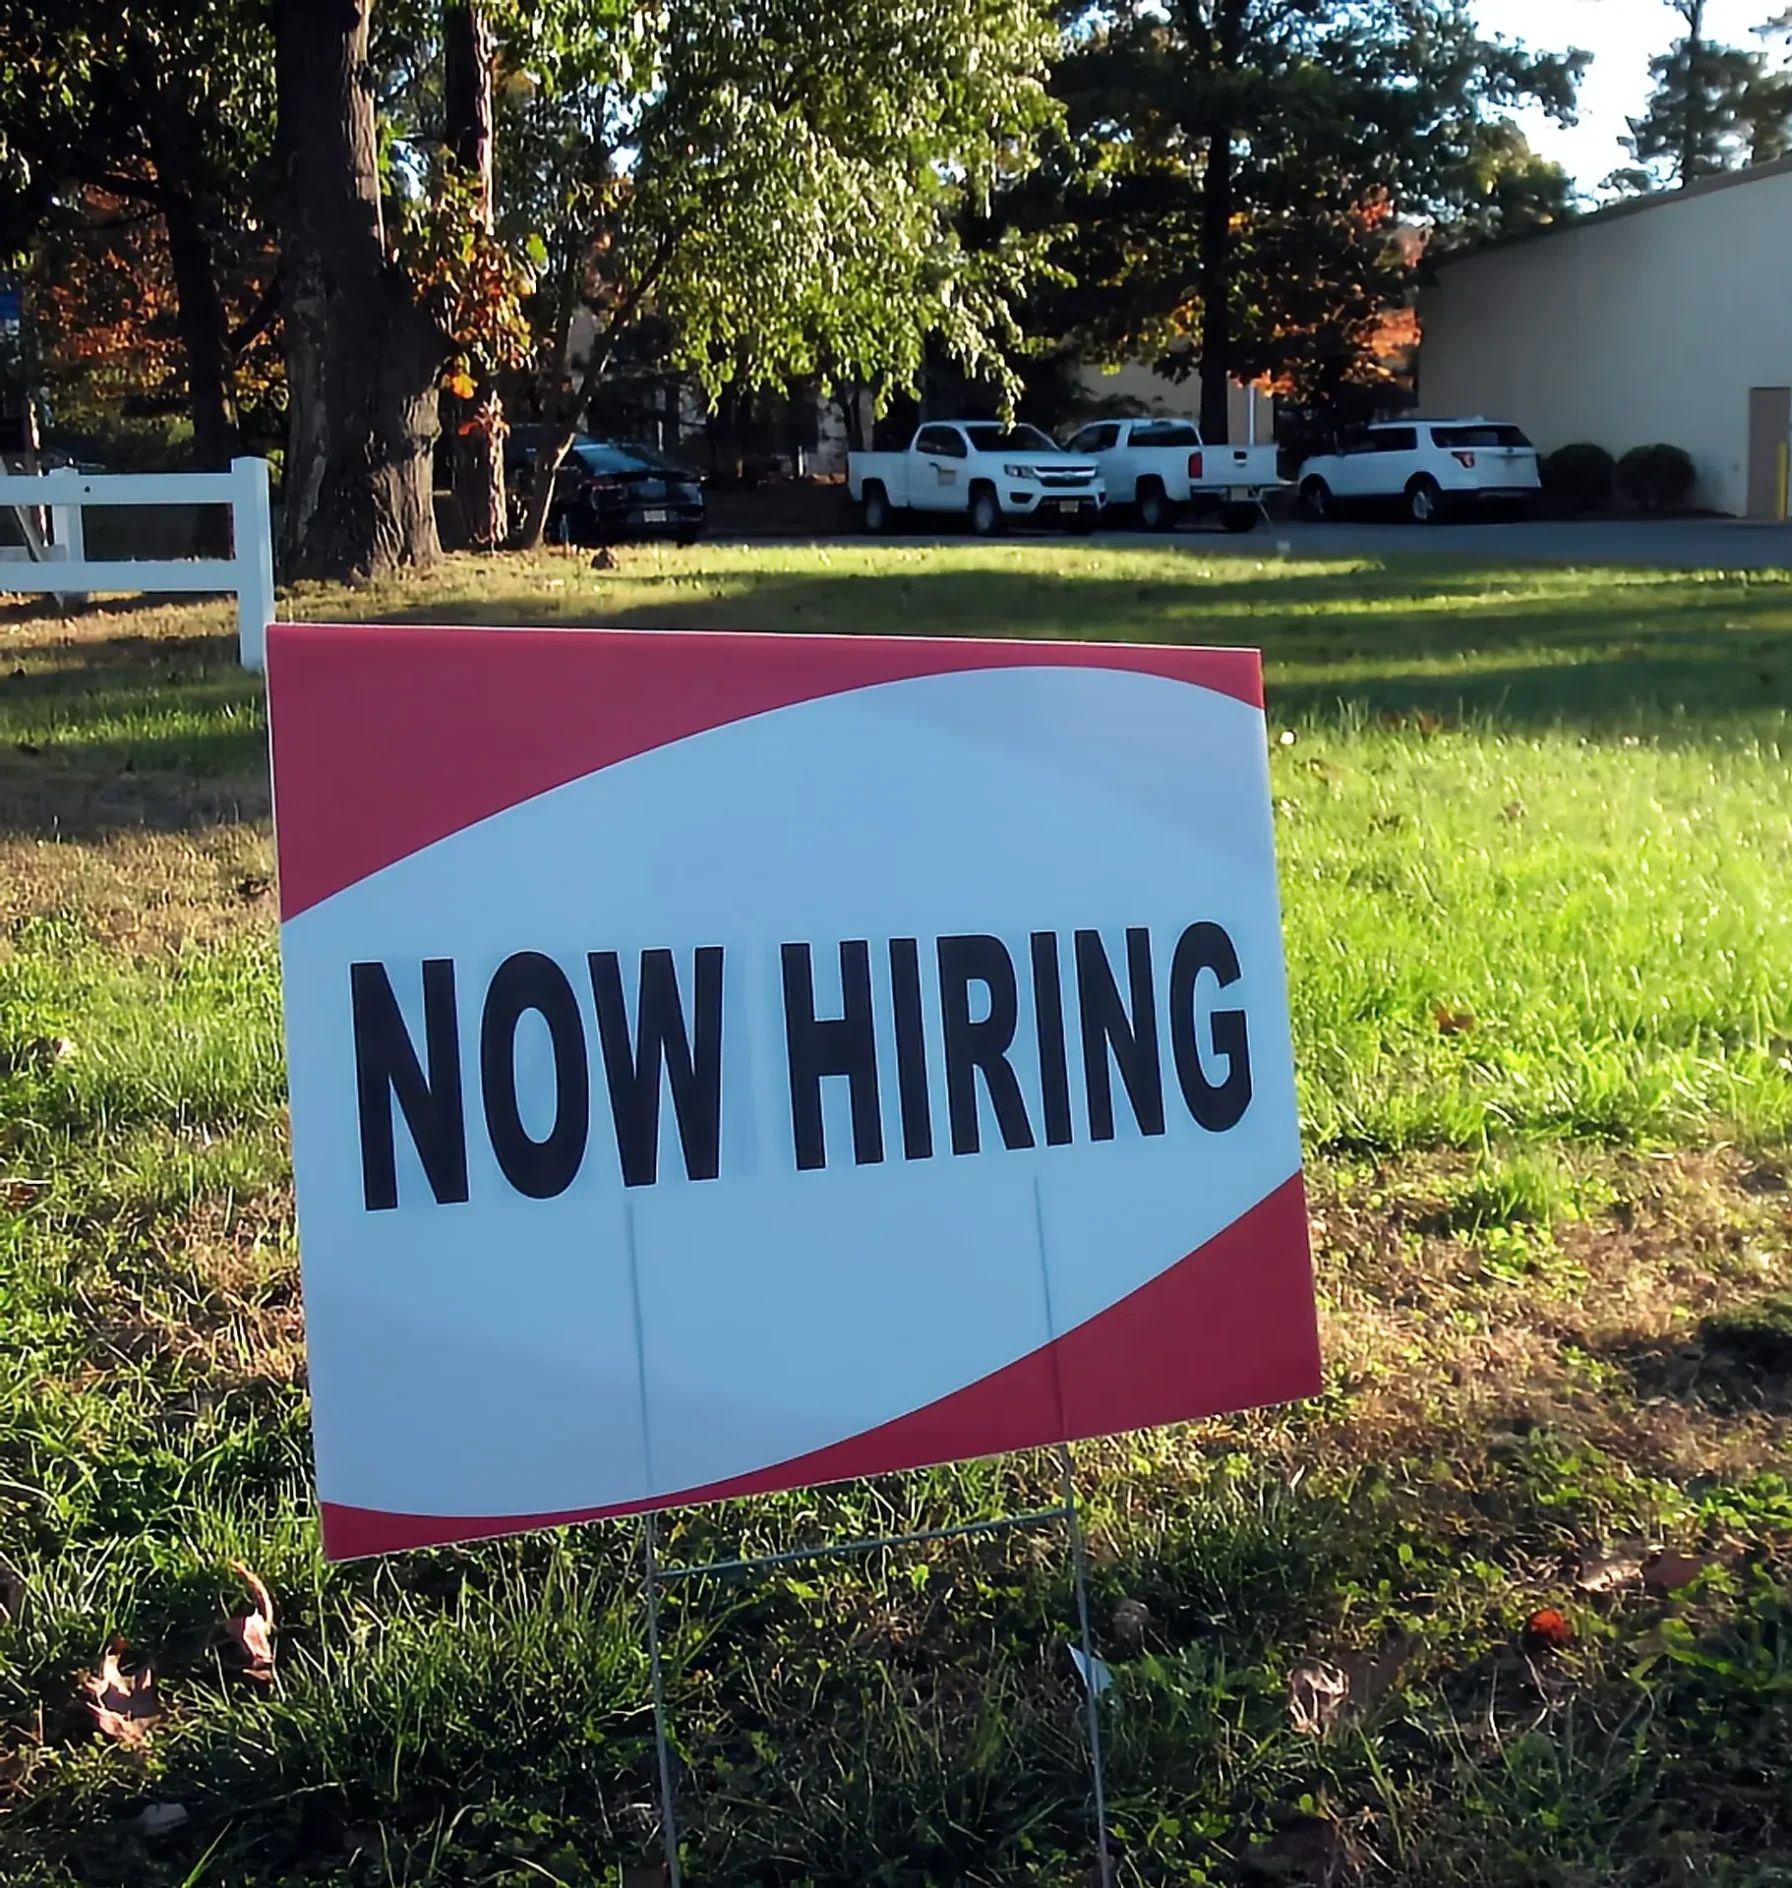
{"x": 1427, "y": 1340}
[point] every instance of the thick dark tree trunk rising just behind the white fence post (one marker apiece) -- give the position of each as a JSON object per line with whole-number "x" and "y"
{"x": 362, "y": 356}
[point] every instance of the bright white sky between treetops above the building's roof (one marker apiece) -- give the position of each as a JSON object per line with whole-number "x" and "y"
{"x": 1623, "y": 37}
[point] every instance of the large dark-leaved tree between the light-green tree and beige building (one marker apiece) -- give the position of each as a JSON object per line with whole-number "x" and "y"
{"x": 1247, "y": 177}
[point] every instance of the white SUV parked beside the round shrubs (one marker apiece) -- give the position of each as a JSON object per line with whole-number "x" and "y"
{"x": 1429, "y": 467}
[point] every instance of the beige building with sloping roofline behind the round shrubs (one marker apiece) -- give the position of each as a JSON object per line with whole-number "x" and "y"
{"x": 1659, "y": 320}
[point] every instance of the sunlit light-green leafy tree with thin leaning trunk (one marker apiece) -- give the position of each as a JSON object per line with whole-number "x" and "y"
{"x": 773, "y": 188}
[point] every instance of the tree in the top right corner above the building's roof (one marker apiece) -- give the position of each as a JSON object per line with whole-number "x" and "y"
{"x": 1712, "y": 109}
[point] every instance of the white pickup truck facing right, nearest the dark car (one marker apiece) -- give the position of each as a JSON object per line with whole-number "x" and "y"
{"x": 977, "y": 469}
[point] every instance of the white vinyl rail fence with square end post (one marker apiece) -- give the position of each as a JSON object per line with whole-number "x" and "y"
{"x": 59, "y": 564}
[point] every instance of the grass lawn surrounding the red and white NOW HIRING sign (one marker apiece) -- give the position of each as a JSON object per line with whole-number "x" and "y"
{"x": 1536, "y": 845}
